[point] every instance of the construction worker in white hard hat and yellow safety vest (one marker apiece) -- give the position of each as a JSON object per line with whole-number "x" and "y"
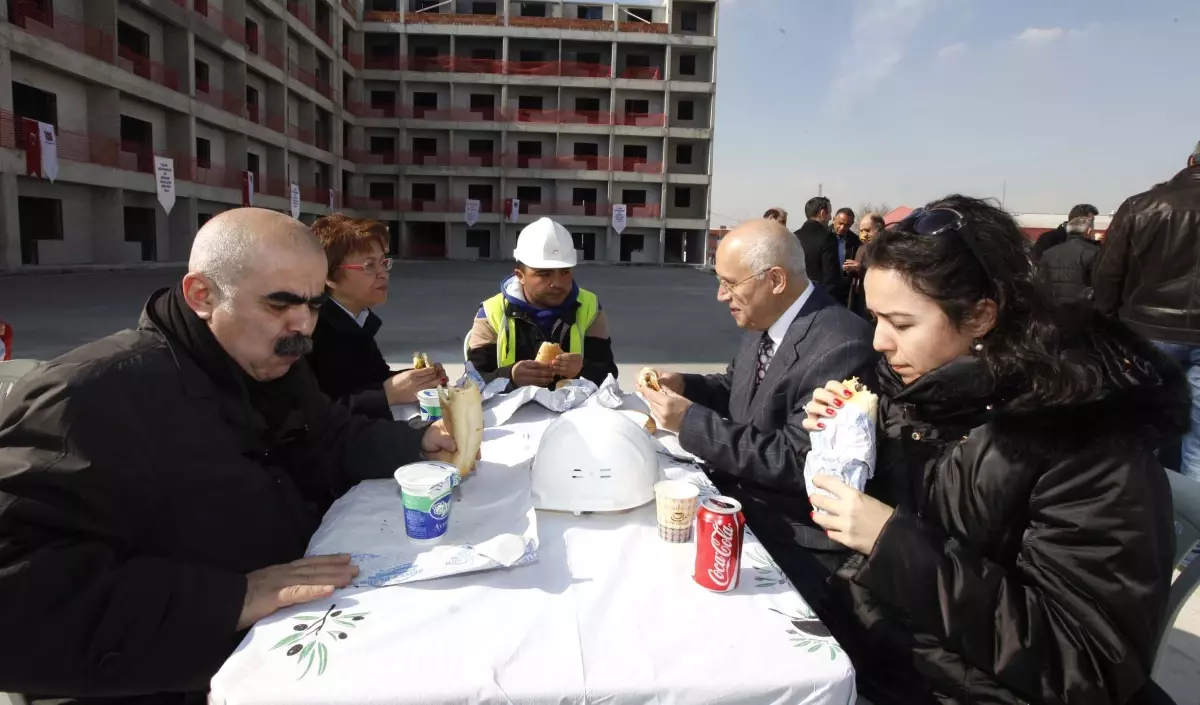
{"x": 539, "y": 304}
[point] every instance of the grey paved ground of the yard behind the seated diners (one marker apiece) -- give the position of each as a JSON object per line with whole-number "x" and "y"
{"x": 667, "y": 317}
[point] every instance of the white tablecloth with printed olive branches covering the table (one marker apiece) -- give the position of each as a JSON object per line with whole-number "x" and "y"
{"x": 609, "y": 614}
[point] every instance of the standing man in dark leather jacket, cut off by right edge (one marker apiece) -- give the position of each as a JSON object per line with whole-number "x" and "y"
{"x": 1149, "y": 274}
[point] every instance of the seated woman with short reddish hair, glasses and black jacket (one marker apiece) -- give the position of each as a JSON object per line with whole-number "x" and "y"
{"x": 345, "y": 358}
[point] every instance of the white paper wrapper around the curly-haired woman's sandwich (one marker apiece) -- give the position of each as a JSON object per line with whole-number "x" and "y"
{"x": 844, "y": 450}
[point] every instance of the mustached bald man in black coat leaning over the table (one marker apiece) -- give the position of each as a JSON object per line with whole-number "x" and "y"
{"x": 159, "y": 487}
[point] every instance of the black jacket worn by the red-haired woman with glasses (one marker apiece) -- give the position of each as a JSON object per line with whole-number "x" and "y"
{"x": 347, "y": 361}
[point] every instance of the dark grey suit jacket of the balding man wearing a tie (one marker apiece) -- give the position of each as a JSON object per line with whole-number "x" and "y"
{"x": 753, "y": 439}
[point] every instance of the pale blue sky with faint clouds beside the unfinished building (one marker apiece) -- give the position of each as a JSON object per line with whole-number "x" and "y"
{"x": 904, "y": 101}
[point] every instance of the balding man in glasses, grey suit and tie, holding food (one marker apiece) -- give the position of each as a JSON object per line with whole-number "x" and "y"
{"x": 746, "y": 424}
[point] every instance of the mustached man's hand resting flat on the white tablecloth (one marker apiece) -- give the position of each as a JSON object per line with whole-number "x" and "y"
{"x": 274, "y": 588}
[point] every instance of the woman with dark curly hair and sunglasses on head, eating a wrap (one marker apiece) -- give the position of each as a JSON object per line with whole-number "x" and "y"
{"x": 1016, "y": 543}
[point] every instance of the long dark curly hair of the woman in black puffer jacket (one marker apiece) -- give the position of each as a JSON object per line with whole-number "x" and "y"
{"x": 1024, "y": 351}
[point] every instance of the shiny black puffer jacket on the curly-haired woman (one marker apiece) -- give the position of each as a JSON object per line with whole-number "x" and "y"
{"x": 1030, "y": 556}
